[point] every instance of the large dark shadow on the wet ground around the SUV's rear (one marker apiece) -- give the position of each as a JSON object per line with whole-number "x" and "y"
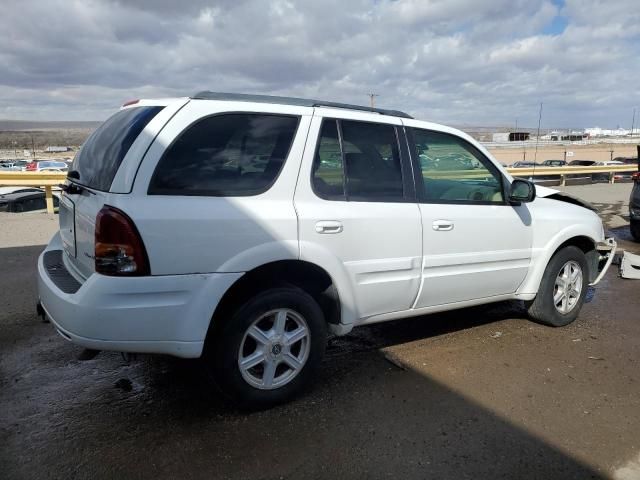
{"x": 157, "y": 416}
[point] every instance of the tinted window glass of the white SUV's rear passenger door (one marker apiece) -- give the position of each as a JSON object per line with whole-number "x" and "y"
{"x": 364, "y": 166}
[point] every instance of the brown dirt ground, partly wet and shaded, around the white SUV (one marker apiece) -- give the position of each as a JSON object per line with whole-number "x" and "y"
{"x": 479, "y": 393}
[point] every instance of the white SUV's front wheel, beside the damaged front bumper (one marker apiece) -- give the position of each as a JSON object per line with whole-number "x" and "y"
{"x": 543, "y": 308}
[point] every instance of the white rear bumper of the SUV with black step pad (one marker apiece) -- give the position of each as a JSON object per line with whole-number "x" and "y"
{"x": 167, "y": 314}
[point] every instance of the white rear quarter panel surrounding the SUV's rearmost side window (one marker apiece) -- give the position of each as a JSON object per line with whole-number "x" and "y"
{"x": 198, "y": 234}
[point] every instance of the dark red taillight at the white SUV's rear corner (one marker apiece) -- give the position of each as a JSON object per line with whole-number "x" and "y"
{"x": 119, "y": 249}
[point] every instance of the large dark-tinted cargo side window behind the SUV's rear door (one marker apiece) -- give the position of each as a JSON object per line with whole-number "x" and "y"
{"x": 236, "y": 154}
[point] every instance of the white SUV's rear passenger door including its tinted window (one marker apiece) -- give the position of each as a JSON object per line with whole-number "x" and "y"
{"x": 357, "y": 211}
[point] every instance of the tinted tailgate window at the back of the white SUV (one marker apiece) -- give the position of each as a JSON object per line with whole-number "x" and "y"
{"x": 101, "y": 155}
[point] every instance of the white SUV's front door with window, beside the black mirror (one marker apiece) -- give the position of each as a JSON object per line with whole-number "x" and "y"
{"x": 476, "y": 244}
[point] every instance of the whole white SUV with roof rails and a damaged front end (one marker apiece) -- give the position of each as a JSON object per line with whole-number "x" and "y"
{"x": 245, "y": 228}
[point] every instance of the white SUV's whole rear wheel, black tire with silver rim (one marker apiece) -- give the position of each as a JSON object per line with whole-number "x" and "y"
{"x": 261, "y": 331}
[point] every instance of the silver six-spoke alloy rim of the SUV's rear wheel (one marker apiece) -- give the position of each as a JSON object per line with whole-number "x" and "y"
{"x": 274, "y": 349}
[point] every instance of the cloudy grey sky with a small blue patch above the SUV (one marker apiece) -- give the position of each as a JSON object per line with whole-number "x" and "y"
{"x": 462, "y": 62}
